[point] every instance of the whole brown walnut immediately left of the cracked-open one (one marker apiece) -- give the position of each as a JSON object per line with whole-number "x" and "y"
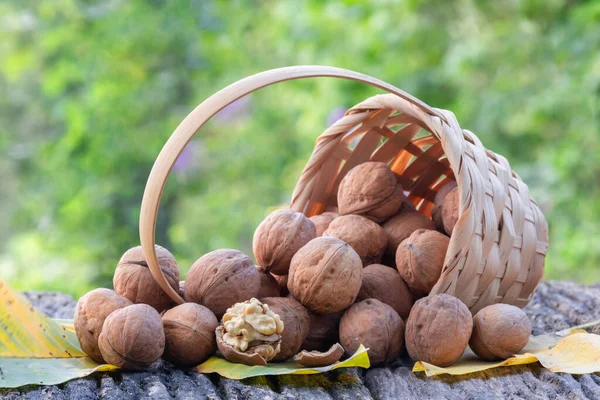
{"x": 189, "y": 334}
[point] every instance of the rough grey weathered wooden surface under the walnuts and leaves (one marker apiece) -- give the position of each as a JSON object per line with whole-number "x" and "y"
{"x": 556, "y": 305}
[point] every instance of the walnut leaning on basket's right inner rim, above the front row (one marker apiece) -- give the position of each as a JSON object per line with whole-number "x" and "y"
{"x": 420, "y": 259}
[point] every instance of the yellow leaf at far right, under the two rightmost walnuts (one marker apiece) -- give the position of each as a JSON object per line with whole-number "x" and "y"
{"x": 540, "y": 348}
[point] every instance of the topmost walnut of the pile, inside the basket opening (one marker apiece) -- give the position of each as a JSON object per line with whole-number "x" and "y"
{"x": 371, "y": 190}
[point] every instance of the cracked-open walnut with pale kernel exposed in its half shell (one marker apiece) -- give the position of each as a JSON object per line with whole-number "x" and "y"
{"x": 250, "y": 334}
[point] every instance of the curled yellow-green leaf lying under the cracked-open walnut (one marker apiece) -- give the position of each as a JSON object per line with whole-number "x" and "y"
{"x": 240, "y": 371}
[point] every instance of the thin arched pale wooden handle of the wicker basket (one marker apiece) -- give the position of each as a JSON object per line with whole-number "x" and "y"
{"x": 205, "y": 111}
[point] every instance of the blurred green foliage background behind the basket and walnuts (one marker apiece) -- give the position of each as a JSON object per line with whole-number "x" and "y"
{"x": 91, "y": 90}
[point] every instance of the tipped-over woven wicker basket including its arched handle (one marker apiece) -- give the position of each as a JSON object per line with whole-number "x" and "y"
{"x": 497, "y": 251}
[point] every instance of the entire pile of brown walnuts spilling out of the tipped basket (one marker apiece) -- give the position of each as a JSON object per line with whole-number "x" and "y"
{"x": 322, "y": 287}
